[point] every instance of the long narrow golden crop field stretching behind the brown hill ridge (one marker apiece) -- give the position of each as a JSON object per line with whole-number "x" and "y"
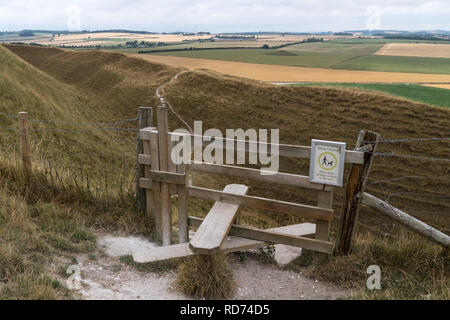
{"x": 273, "y": 73}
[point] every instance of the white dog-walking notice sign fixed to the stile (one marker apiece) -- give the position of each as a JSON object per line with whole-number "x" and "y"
{"x": 327, "y": 162}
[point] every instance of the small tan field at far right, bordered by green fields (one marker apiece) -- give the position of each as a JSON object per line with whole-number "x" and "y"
{"x": 430, "y": 50}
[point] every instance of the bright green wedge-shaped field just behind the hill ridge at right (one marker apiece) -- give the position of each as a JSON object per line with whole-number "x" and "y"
{"x": 429, "y": 95}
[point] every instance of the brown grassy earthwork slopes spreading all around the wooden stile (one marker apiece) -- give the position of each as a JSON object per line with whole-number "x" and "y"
{"x": 101, "y": 83}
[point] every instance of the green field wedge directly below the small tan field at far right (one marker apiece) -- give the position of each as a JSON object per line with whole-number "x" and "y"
{"x": 397, "y": 64}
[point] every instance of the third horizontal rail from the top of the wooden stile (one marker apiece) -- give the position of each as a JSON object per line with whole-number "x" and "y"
{"x": 262, "y": 203}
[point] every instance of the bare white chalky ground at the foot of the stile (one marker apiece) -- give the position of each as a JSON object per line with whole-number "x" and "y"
{"x": 104, "y": 276}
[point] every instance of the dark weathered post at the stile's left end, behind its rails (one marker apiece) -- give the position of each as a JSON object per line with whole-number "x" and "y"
{"x": 145, "y": 117}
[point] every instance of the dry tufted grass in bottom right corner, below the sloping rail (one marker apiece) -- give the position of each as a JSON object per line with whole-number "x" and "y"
{"x": 410, "y": 268}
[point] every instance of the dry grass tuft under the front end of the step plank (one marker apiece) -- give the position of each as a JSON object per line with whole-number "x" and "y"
{"x": 206, "y": 277}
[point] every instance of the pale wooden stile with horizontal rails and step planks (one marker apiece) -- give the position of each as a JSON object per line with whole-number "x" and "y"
{"x": 220, "y": 230}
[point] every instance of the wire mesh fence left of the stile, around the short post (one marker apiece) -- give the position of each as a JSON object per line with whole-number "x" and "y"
{"x": 105, "y": 172}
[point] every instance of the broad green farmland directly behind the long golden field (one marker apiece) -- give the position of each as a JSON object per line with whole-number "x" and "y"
{"x": 336, "y": 55}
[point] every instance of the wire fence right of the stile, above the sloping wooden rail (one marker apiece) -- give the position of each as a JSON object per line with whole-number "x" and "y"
{"x": 424, "y": 196}
